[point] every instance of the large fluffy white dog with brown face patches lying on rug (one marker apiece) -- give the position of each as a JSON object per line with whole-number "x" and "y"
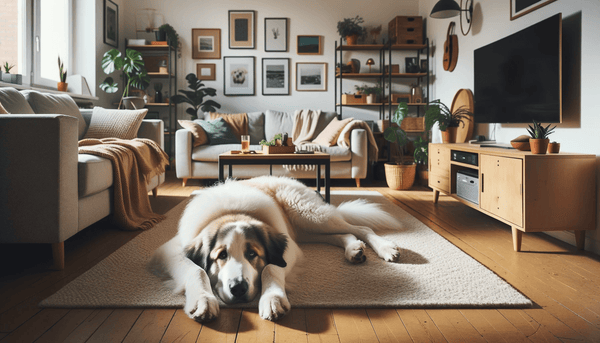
{"x": 240, "y": 238}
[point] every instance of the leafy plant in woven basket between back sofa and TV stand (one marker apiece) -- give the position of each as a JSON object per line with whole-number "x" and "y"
{"x": 401, "y": 174}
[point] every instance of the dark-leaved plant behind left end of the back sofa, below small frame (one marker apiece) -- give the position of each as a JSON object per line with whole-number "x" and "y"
{"x": 196, "y": 96}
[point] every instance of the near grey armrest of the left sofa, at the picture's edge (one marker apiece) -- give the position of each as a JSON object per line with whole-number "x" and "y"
{"x": 38, "y": 178}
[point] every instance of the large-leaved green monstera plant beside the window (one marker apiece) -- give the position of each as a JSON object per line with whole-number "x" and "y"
{"x": 133, "y": 72}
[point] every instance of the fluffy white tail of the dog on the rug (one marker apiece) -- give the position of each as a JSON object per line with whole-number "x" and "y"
{"x": 364, "y": 213}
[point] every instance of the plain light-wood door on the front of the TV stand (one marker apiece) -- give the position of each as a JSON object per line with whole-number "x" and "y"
{"x": 501, "y": 187}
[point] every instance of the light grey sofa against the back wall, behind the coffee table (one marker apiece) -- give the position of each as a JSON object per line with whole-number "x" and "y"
{"x": 201, "y": 162}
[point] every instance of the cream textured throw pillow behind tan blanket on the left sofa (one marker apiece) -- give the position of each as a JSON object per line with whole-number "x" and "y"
{"x": 108, "y": 123}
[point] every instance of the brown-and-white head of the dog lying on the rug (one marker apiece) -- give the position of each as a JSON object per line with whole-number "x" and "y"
{"x": 233, "y": 250}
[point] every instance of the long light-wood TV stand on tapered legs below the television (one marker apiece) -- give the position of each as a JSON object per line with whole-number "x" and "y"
{"x": 531, "y": 193}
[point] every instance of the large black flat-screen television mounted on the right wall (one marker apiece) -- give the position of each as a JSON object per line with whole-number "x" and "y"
{"x": 518, "y": 78}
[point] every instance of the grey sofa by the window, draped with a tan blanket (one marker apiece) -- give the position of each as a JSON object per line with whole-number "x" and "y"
{"x": 49, "y": 192}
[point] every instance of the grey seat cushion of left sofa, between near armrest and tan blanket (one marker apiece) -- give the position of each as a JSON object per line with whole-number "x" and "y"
{"x": 94, "y": 174}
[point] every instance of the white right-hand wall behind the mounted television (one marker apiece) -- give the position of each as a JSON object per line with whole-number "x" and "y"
{"x": 579, "y": 132}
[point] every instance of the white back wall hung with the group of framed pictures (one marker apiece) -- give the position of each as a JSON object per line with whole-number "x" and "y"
{"x": 311, "y": 17}
